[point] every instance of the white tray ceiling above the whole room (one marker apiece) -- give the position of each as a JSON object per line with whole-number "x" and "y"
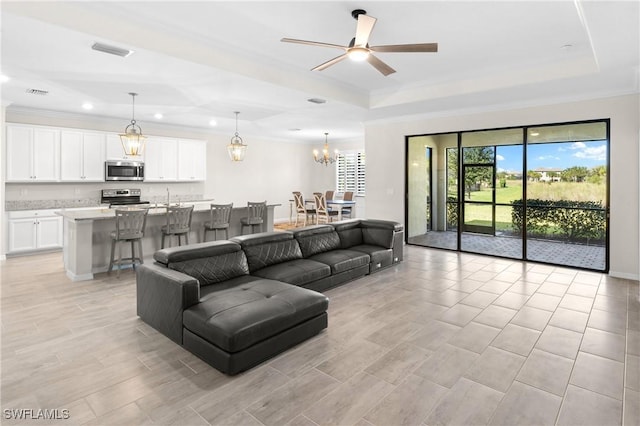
{"x": 202, "y": 60}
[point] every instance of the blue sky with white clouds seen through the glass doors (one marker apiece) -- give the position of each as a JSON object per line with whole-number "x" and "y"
{"x": 553, "y": 155}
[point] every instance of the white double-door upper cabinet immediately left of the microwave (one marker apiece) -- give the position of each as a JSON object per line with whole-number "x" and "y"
{"x": 82, "y": 156}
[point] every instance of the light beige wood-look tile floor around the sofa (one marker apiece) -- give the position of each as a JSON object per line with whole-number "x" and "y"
{"x": 442, "y": 338}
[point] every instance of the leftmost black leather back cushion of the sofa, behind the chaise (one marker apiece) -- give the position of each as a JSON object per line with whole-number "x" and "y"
{"x": 210, "y": 263}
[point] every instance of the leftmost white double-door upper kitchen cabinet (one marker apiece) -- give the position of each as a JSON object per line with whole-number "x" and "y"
{"x": 33, "y": 154}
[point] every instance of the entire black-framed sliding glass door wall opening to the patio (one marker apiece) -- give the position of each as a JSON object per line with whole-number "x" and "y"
{"x": 533, "y": 193}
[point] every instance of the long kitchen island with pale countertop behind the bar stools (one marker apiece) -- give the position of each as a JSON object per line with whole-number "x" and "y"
{"x": 87, "y": 235}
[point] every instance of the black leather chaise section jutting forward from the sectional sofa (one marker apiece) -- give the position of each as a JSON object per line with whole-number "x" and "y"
{"x": 236, "y": 328}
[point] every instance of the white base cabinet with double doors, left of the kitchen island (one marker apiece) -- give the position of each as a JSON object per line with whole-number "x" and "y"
{"x": 32, "y": 230}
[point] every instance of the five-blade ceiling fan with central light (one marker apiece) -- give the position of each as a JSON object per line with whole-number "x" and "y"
{"x": 359, "y": 49}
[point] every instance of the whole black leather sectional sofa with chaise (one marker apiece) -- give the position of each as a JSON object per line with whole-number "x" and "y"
{"x": 237, "y": 303}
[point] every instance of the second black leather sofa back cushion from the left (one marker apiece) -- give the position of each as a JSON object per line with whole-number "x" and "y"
{"x": 268, "y": 248}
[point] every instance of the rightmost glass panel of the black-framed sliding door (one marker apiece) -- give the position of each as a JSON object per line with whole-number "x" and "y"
{"x": 567, "y": 192}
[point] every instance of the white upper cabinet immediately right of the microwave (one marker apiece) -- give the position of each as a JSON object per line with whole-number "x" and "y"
{"x": 161, "y": 160}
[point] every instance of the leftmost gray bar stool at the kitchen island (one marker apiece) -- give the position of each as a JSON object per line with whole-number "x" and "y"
{"x": 130, "y": 224}
